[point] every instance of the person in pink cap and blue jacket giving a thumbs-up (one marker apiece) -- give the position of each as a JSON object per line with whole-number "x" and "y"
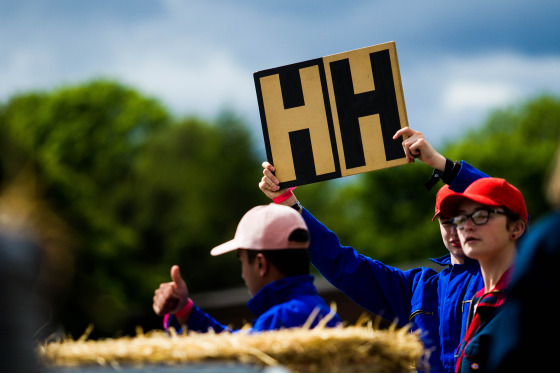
{"x": 271, "y": 243}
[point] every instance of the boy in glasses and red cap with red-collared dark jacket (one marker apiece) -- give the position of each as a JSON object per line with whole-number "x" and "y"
{"x": 490, "y": 216}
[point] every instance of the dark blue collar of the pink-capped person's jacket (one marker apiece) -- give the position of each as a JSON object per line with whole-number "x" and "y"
{"x": 281, "y": 291}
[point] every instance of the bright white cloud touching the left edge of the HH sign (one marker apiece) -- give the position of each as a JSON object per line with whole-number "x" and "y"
{"x": 201, "y": 85}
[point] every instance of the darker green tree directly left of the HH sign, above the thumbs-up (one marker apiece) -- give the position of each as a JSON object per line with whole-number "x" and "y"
{"x": 197, "y": 182}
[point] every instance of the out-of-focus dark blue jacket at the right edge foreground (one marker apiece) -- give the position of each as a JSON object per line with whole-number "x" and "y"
{"x": 525, "y": 334}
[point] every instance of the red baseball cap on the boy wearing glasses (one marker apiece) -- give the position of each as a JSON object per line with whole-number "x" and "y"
{"x": 487, "y": 191}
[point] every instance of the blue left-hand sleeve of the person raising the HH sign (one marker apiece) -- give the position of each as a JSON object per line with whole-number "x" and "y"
{"x": 381, "y": 289}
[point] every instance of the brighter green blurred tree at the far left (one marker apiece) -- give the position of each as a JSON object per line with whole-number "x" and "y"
{"x": 81, "y": 142}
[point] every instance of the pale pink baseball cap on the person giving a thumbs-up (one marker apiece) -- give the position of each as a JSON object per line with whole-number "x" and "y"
{"x": 266, "y": 227}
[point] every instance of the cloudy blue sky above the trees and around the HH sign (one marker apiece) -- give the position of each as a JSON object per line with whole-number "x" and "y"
{"x": 458, "y": 59}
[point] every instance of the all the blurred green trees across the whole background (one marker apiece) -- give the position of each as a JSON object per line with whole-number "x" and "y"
{"x": 140, "y": 191}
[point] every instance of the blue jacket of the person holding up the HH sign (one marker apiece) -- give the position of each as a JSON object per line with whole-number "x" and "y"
{"x": 436, "y": 303}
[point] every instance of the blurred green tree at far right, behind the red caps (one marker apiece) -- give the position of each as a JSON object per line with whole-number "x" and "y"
{"x": 517, "y": 143}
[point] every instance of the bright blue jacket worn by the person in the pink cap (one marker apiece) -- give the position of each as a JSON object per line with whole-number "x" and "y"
{"x": 280, "y": 304}
